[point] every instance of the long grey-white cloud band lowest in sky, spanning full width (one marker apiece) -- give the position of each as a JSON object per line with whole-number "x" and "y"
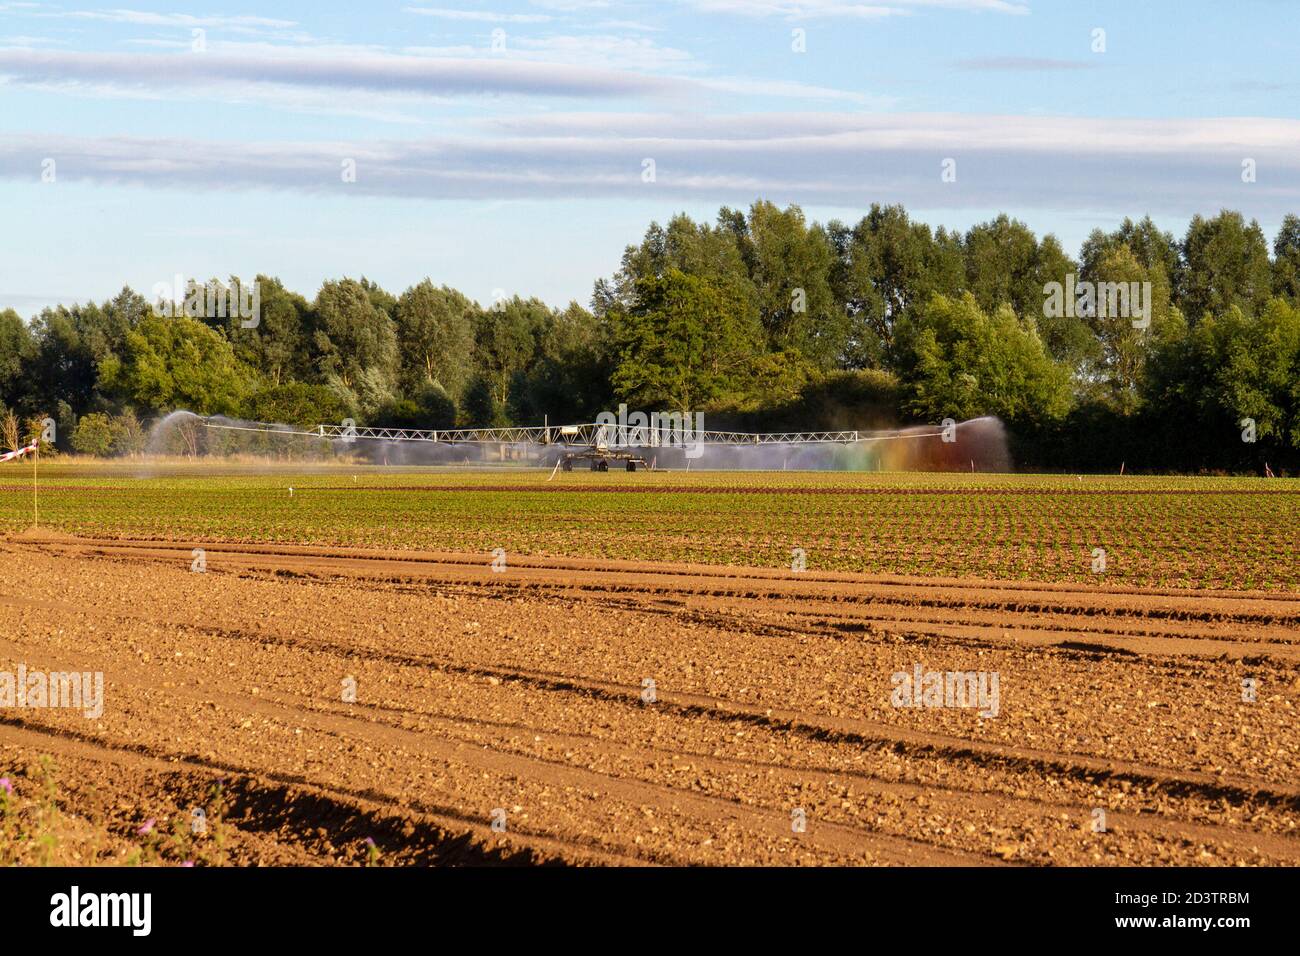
{"x": 838, "y": 159}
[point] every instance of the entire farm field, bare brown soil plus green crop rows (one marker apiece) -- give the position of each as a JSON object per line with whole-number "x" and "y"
{"x": 644, "y": 678}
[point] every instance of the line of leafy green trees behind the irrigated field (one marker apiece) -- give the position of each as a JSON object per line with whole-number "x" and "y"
{"x": 760, "y": 319}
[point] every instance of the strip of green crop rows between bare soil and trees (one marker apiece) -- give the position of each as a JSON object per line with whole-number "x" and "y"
{"x": 1237, "y": 534}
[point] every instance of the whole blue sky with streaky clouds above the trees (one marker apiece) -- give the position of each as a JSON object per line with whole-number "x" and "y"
{"x": 518, "y": 146}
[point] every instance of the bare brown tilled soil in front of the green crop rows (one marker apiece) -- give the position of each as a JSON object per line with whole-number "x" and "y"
{"x": 523, "y": 691}
